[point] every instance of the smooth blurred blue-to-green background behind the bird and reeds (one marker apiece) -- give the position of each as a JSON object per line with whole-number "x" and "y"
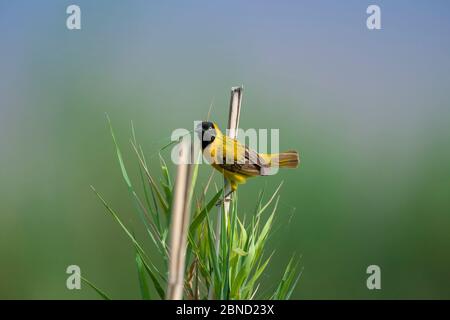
{"x": 369, "y": 112}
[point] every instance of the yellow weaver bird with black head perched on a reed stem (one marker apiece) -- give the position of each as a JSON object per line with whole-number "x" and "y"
{"x": 236, "y": 161}
